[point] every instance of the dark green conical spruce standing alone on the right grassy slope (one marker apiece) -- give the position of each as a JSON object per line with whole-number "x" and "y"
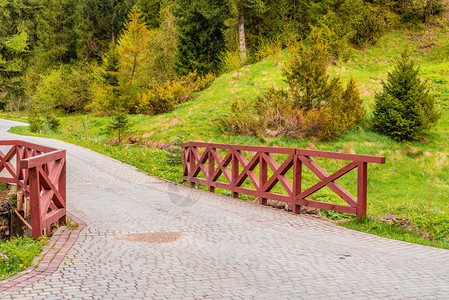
{"x": 404, "y": 108}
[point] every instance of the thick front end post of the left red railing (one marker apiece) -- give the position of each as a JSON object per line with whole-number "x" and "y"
{"x": 36, "y": 218}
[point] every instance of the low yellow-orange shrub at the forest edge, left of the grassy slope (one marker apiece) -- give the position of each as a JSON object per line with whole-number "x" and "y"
{"x": 164, "y": 96}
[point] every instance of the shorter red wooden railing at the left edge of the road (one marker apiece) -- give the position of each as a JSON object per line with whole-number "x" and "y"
{"x": 40, "y": 176}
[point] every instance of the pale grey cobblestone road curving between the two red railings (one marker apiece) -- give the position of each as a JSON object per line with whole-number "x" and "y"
{"x": 229, "y": 248}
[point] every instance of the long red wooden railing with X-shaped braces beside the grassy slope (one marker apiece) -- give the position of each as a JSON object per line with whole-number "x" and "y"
{"x": 212, "y": 166}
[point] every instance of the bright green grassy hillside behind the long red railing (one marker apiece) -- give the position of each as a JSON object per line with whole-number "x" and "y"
{"x": 412, "y": 186}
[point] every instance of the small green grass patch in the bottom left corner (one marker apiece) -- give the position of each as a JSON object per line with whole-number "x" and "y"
{"x": 18, "y": 254}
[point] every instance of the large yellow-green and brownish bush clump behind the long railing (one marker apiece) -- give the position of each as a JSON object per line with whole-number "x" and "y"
{"x": 313, "y": 105}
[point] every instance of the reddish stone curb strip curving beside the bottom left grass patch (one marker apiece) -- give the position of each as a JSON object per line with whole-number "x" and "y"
{"x": 49, "y": 260}
